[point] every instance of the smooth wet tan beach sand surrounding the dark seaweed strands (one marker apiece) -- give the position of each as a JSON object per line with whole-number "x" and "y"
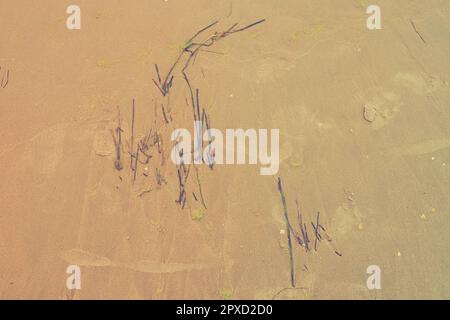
{"x": 380, "y": 177}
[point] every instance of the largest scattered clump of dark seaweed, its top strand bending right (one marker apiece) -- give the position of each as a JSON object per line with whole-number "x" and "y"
{"x": 142, "y": 151}
